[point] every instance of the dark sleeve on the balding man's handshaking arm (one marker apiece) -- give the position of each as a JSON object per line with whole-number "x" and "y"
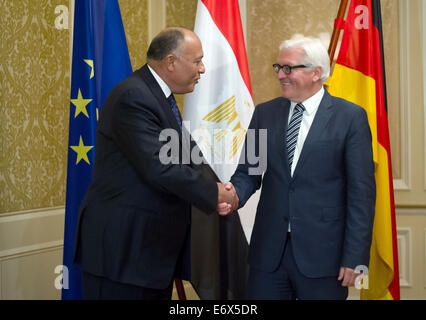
{"x": 136, "y": 130}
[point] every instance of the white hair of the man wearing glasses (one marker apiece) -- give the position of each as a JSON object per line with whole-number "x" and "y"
{"x": 316, "y": 53}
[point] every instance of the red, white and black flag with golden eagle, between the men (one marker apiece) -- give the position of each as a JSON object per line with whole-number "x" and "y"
{"x": 217, "y": 115}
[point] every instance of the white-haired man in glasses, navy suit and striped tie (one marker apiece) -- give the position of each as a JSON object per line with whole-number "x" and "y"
{"x": 314, "y": 219}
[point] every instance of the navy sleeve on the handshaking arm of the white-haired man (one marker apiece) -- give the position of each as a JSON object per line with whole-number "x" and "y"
{"x": 247, "y": 178}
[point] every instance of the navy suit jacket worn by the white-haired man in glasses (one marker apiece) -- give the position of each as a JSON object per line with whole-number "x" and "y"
{"x": 330, "y": 199}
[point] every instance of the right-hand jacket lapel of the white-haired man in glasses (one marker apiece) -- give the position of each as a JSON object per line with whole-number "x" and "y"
{"x": 321, "y": 119}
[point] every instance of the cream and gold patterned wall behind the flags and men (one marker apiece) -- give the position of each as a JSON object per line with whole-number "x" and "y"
{"x": 34, "y": 102}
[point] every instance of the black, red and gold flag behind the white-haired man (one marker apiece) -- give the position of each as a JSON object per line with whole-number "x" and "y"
{"x": 359, "y": 76}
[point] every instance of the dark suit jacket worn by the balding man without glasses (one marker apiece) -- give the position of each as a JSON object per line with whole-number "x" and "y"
{"x": 134, "y": 219}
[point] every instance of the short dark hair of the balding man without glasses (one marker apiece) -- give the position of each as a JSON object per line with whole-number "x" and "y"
{"x": 166, "y": 42}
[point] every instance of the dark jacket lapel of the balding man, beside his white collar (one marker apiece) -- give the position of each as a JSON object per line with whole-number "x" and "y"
{"x": 159, "y": 95}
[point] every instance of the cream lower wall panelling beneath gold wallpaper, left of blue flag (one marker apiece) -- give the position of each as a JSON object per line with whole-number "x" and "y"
{"x": 31, "y": 245}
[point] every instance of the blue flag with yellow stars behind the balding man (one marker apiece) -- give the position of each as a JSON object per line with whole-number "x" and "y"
{"x": 100, "y": 60}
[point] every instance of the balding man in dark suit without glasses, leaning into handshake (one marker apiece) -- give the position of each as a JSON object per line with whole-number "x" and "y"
{"x": 134, "y": 221}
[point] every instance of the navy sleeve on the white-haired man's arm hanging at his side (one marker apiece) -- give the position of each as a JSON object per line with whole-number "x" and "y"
{"x": 360, "y": 193}
